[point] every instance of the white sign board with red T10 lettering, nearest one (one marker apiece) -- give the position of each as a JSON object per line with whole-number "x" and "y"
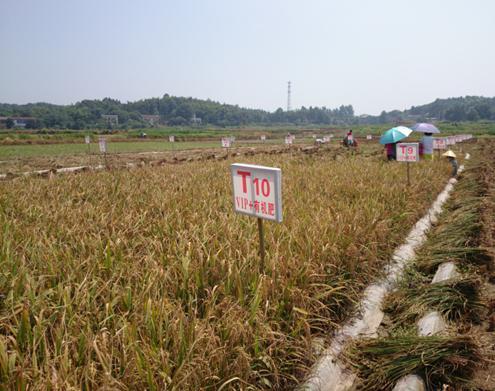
{"x": 257, "y": 191}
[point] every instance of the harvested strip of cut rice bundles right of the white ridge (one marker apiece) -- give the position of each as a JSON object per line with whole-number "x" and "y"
{"x": 459, "y": 354}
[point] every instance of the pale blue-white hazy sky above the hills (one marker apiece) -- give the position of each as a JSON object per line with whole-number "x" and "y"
{"x": 373, "y": 54}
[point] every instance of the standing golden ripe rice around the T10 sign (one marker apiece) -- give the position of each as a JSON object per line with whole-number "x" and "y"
{"x": 147, "y": 279}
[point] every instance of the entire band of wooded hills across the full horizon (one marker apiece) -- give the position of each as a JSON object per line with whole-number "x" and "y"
{"x": 174, "y": 111}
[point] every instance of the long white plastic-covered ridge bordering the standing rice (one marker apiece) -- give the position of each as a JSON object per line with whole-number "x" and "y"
{"x": 329, "y": 374}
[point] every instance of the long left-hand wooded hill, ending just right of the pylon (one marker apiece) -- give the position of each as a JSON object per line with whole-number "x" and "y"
{"x": 168, "y": 110}
